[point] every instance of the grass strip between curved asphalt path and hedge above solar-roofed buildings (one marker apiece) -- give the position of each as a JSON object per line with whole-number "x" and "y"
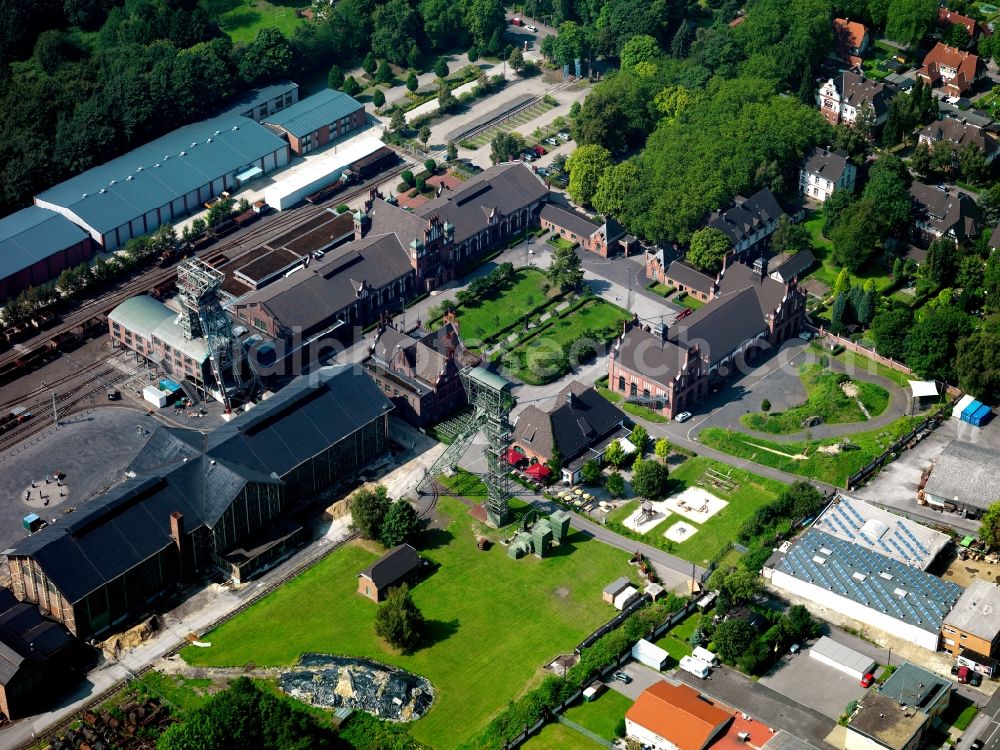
{"x": 830, "y": 468}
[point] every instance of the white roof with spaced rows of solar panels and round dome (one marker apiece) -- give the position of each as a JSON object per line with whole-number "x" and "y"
{"x": 881, "y": 531}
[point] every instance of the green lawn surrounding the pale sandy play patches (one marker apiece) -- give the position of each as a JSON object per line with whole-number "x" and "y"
{"x": 752, "y": 491}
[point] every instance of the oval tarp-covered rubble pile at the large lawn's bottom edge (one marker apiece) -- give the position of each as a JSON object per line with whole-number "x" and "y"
{"x": 336, "y": 681}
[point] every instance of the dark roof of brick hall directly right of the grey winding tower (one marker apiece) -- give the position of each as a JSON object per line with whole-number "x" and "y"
{"x": 312, "y": 297}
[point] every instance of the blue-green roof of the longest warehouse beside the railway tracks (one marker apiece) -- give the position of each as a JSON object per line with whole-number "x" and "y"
{"x": 162, "y": 170}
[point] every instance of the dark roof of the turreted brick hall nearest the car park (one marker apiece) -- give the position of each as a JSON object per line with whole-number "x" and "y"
{"x": 504, "y": 187}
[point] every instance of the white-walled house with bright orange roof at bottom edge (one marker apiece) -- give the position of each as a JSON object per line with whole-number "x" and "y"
{"x": 675, "y": 717}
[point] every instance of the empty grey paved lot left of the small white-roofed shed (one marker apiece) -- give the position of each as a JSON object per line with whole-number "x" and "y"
{"x": 814, "y": 684}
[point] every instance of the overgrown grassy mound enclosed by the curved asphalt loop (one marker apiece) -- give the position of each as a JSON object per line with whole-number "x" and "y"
{"x": 826, "y": 399}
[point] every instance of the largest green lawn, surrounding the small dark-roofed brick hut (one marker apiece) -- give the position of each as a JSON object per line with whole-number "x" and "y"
{"x": 493, "y": 621}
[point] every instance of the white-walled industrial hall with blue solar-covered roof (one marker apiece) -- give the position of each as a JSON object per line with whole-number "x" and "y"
{"x": 864, "y": 585}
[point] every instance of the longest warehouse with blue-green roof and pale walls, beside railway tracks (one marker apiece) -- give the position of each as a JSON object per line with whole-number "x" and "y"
{"x": 167, "y": 179}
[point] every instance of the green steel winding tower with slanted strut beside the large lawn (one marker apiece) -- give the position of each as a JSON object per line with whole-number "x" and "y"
{"x": 489, "y": 395}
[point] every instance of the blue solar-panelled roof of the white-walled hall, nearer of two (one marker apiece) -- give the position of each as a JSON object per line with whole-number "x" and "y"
{"x": 855, "y": 572}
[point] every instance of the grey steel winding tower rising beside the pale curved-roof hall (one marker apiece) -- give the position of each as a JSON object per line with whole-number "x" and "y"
{"x": 203, "y": 317}
